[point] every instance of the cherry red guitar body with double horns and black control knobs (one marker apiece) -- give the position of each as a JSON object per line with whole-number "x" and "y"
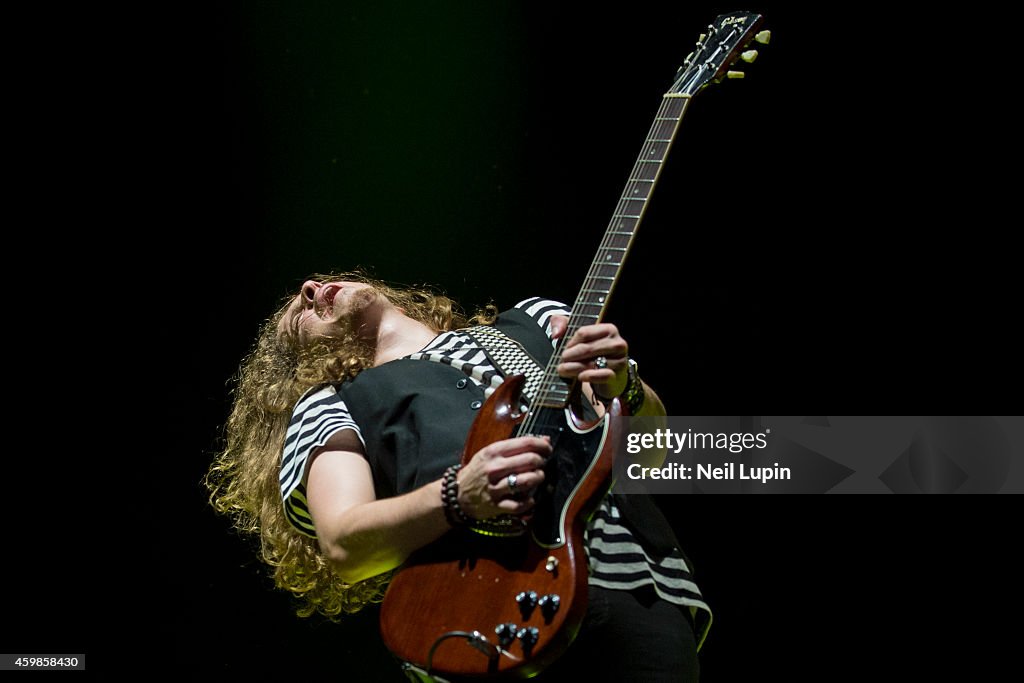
{"x": 473, "y": 606}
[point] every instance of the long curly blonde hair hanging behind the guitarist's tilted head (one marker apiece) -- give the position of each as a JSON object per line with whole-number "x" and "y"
{"x": 244, "y": 477}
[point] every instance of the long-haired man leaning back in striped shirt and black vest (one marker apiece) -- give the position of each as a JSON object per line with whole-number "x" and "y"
{"x": 355, "y": 402}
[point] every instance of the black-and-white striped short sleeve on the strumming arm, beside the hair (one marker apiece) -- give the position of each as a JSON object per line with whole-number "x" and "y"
{"x": 319, "y": 415}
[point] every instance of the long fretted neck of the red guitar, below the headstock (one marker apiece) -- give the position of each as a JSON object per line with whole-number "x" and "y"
{"x": 592, "y": 302}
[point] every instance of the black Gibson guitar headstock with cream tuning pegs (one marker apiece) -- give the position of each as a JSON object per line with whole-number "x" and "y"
{"x": 722, "y": 46}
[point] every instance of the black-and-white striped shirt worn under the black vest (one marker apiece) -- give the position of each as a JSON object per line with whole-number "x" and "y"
{"x": 617, "y": 561}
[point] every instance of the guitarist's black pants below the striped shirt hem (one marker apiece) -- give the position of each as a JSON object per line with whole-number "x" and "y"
{"x": 630, "y": 636}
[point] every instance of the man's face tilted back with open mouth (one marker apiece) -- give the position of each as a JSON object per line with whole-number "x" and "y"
{"x": 329, "y": 310}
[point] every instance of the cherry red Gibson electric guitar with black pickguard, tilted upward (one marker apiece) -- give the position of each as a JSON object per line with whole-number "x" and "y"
{"x": 507, "y": 604}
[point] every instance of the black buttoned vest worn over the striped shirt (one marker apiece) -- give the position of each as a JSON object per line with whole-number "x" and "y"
{"x": 414, "y": 417}
